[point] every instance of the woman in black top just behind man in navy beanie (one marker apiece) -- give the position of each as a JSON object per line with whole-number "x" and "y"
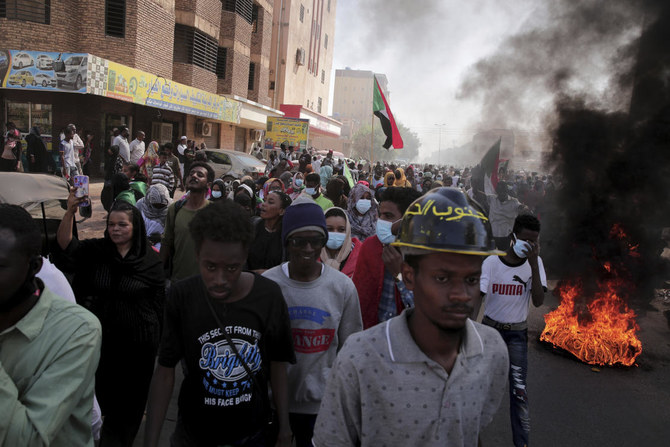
{"x": 267, "y": 248}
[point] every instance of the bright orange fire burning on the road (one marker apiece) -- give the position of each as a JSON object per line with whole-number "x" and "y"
{"x": 603, "y": 331}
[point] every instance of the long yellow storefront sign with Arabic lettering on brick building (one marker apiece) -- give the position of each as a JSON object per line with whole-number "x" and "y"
{"x": 128, "y": 84}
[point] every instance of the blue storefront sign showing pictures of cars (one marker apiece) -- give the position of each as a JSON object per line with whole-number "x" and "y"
{"x": 43, "y": 70}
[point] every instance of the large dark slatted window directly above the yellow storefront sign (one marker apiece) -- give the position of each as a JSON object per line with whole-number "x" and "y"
{"x": 192, "y": 46}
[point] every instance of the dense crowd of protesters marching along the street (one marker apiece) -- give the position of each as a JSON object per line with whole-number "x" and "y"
{"x": 351, "y": 296}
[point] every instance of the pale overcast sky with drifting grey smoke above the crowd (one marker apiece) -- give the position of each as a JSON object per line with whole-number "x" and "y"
{"x": 428, "y": 50}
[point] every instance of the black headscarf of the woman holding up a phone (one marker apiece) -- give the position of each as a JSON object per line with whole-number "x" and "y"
{"x": 144, "y": 263}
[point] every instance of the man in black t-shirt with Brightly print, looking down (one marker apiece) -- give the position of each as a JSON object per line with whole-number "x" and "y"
{"x": 219, "y": 402}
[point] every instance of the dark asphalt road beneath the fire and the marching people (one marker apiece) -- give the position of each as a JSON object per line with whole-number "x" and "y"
{"x": 571, "y": 404}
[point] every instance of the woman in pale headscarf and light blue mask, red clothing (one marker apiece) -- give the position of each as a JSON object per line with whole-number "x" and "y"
{"x": 342, "y": 249}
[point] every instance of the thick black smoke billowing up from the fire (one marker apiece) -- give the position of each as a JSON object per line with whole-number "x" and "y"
{"x": 605, "y": 67}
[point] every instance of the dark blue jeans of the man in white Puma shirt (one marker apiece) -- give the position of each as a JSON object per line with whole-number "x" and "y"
{"x": 517, "y": 346}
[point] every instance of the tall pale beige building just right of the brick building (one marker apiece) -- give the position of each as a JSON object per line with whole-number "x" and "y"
{"x": 301, "y": 63}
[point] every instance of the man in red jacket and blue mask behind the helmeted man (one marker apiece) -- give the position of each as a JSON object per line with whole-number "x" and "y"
{"x": 381, "y": 290}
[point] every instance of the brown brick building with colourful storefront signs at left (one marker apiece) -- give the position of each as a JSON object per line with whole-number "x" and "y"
{"x": 199, "y": 68}
